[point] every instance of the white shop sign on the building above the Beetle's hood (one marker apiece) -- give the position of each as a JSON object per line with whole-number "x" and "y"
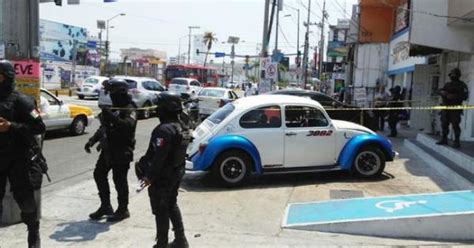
{"x": 400, "y": 54}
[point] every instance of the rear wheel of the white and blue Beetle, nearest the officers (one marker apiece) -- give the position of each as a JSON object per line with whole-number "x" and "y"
{"x": 232, "y": 168}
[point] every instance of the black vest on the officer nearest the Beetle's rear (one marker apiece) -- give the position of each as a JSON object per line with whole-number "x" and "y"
{"x": 181, "y": 140}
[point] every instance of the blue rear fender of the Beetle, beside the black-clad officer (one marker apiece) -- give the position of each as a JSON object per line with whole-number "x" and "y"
{"x": 216, "y": 146}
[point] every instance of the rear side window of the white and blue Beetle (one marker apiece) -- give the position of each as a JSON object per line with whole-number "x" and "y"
{"x": 265, "y": 117}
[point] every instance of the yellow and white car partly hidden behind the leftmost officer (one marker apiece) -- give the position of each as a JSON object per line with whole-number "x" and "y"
{"x": 59, "y": 115}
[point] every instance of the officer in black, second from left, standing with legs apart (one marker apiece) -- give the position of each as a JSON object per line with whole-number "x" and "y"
{"x": 117, "y": 132}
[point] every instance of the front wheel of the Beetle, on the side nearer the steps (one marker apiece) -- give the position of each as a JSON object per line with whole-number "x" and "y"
{"x": 369, "y": 162}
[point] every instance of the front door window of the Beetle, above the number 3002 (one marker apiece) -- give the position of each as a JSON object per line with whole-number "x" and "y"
{"x": 302, "y": 116}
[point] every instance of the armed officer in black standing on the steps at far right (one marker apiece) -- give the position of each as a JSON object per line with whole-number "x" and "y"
{"x": 453, "y": 93}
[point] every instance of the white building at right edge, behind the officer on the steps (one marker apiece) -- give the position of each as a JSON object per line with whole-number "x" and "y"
{"x": 449, "y": 43}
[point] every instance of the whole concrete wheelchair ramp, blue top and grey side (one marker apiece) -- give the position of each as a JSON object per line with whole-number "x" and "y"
{"x": 437, "y": 216}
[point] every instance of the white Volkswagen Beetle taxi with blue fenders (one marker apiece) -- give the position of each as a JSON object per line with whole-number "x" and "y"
{"x": 283, "y": 134}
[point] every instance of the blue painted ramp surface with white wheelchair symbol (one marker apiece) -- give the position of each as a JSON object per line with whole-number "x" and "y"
{"x": 391, "y": 207}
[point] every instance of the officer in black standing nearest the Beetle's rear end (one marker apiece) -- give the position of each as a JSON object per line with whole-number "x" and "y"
{"x": 162, "y": 168}
